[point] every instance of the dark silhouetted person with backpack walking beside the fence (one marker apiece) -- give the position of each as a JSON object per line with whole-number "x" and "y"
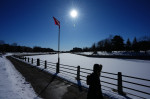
{"x": 93, "y": 80}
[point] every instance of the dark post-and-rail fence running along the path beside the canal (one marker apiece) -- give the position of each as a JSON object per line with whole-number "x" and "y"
{"x": 80, "y": 74}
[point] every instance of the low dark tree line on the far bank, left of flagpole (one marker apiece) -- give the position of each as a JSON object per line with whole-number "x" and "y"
{"x": 16, "y": 48}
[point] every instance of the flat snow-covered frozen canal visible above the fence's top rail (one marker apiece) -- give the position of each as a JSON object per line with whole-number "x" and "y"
{"x": 138, "y": 68}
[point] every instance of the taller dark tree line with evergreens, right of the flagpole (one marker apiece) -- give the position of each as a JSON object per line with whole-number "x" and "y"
{"x": 116, "y": 43}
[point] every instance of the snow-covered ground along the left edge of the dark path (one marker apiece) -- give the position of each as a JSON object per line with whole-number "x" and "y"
{"x": 12, "y": 84}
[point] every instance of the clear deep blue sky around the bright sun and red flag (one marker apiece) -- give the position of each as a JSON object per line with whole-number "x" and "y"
{"x": 30, "y": 22}
